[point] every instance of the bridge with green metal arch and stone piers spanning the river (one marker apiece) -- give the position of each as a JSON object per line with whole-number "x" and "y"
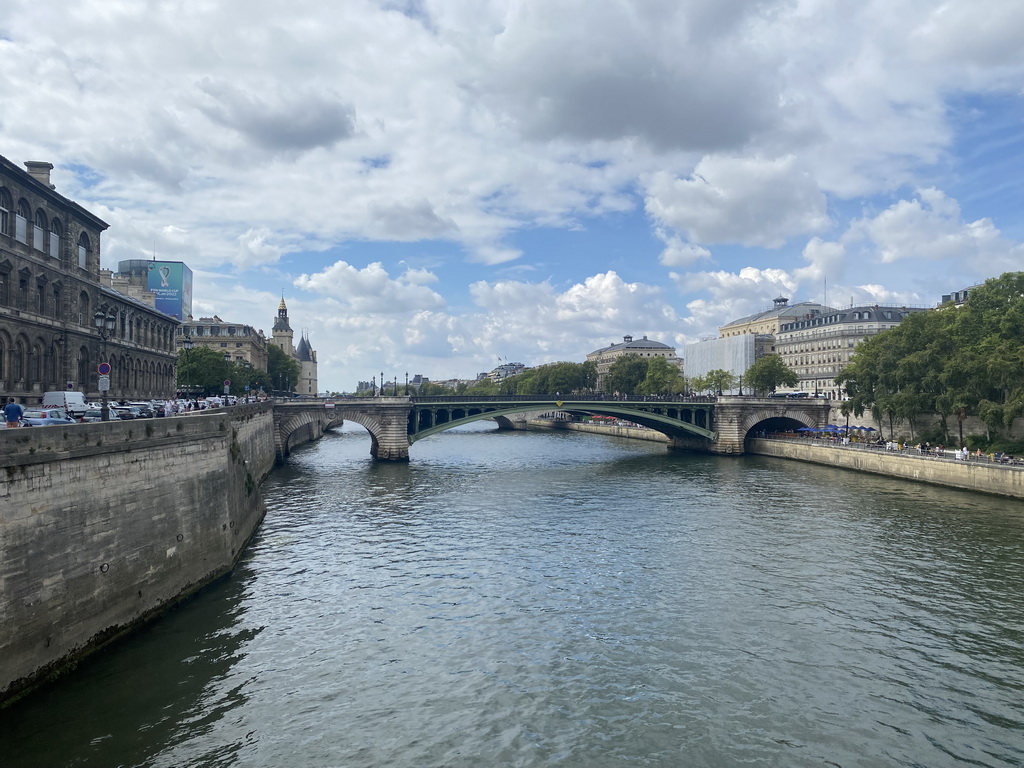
{"x": 719, "y": 425}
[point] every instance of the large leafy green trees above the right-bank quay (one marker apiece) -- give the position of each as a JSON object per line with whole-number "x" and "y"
{"x": 954, "y": 363}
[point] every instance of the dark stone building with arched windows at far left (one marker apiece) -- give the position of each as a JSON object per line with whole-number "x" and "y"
{"x": 53, "y": 297}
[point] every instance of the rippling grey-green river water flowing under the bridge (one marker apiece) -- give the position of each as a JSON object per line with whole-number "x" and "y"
{"x": 561, "y": 600}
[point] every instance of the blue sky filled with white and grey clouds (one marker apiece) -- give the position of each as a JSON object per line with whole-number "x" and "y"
{"x": 438, "y": 187}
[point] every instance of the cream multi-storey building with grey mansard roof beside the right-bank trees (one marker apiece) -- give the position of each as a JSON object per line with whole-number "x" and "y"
{"x": 818, "y": 349}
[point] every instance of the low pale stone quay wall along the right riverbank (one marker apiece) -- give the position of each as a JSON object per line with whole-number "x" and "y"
{"x": 970, "y": 476}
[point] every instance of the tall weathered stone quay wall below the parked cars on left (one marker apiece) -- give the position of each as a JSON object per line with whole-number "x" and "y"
{"x": 106, "y": 526}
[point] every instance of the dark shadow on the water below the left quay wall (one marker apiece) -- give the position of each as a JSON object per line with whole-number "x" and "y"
{"x": 142, "y": 696}
